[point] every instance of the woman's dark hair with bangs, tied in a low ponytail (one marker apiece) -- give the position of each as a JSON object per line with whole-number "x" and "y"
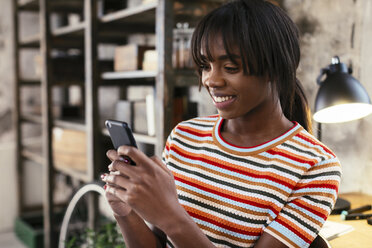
{"x": 268, "y": 41}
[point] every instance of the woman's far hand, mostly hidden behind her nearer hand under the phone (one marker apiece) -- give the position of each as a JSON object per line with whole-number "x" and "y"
{"x": 118, "y": 206}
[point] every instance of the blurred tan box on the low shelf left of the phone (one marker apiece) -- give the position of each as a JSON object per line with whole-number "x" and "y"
{"x": 69, "y": 149}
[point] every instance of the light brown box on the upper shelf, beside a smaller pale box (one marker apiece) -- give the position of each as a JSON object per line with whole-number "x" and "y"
{"x": 129, "y": 57}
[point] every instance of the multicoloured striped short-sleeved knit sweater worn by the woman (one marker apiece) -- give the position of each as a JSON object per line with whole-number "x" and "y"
{"x": 285, "y": 187}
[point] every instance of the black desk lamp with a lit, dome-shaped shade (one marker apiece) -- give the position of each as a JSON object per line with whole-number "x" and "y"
{"x": 340, "y": 98}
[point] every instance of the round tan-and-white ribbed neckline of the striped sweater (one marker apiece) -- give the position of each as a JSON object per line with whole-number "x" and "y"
{"x": 238, "y": 150}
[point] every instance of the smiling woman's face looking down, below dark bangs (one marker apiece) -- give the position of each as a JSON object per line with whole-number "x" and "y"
{"x": 235, "y": 94}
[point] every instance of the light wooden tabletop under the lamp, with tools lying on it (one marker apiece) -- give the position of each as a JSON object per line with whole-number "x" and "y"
{"x": 361, "y": 237}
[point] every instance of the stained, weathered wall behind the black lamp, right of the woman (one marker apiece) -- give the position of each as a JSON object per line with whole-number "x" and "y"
{"x": 343, "y": 28}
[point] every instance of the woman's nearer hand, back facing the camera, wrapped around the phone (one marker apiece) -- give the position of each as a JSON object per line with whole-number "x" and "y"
{"x": 148, "y": 187}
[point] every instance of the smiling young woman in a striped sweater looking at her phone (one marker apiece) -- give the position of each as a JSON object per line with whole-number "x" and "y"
{"x": 251, "y": 176}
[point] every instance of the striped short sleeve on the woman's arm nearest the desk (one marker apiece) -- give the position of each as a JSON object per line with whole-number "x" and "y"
{"x": 308, "y": 206}
